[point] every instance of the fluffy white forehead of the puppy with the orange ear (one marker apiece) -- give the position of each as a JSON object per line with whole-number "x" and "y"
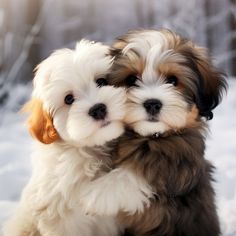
{"x": 88, "y": 61}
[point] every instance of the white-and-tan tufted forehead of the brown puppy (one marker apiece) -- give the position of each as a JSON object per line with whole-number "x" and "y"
{"x": 153, "y": 49}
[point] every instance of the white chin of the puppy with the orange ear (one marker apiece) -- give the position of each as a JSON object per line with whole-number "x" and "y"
{"x": 104, "y": 134}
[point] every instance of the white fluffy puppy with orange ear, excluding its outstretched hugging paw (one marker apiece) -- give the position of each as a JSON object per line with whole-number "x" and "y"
{"x": 73, "y": 116}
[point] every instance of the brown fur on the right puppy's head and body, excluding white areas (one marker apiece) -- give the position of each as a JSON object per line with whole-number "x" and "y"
{"x": 173, "y": 164}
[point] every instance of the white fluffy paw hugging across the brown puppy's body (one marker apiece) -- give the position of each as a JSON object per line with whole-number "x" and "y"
{"x": 120, "y": 190}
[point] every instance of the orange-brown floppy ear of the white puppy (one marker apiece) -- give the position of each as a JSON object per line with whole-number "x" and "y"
{"x": 40, "y": 123}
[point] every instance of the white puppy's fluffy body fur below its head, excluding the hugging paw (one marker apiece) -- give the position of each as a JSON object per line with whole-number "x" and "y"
{"x": 50, "y": 201}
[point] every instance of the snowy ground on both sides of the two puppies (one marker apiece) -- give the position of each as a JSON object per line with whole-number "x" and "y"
{"x": 15, "y": 148}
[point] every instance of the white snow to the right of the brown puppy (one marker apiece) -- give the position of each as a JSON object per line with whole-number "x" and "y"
{"x": 221, "y": 150}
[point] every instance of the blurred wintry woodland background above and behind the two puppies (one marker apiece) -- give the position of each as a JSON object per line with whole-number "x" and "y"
{"x": 31, "y": 29}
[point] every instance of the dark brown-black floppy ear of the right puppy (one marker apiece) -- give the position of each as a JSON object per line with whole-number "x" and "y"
{"x": 211, "y": 84}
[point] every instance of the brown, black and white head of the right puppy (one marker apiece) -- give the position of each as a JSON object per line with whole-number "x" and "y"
{"x": 170, "y": 82}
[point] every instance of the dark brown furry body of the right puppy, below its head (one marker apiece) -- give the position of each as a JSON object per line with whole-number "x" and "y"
{"x": 179, "y": 175}
